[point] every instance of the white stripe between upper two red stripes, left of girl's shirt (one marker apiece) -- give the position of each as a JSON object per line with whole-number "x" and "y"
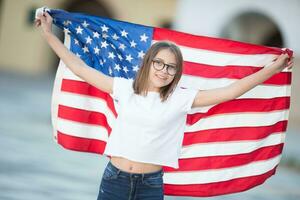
{"x": 87, "y": 103}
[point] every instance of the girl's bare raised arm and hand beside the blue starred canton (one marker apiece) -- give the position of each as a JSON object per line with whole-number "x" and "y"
{"x": 74, "y": 63}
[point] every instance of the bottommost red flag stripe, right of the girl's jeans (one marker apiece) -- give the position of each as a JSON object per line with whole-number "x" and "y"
{"x": 218, "y": 188}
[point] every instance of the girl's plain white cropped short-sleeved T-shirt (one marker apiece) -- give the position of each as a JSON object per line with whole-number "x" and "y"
{"x": 146, "y": 129}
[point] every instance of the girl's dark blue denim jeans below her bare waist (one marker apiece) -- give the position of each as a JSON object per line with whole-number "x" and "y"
{"x": 119, "y": 185}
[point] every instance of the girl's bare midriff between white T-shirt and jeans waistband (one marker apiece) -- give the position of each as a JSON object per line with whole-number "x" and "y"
{"x": 133, "y": 166}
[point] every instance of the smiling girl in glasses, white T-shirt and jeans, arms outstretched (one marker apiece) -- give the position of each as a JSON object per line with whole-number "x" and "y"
{"x": 152, "y": 112}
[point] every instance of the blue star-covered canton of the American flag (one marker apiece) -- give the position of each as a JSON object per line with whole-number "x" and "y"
{"x": 113, "y": 47}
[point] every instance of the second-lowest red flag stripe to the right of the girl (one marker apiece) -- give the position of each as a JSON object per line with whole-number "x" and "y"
{"x": 226, "y": 161}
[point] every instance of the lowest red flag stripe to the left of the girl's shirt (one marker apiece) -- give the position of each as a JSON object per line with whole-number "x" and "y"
{"x": 80, "y": 144}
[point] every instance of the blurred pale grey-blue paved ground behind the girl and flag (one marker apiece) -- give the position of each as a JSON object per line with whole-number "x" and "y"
{"x": 34, "y": 167}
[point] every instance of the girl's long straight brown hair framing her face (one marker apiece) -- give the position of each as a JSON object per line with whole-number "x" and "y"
{"x": 140, "y": 84}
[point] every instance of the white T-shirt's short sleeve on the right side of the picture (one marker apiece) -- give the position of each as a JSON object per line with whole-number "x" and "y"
{"x": 185, "y": 98}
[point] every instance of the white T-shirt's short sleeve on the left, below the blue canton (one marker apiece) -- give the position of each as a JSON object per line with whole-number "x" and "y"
{"x": 122, "y": 88}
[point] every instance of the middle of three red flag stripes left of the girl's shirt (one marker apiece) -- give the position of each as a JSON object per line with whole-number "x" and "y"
{"x": 83, "y": 116}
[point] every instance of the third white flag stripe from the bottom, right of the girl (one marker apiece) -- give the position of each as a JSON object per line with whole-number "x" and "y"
{"x": 239, "y": 120}
